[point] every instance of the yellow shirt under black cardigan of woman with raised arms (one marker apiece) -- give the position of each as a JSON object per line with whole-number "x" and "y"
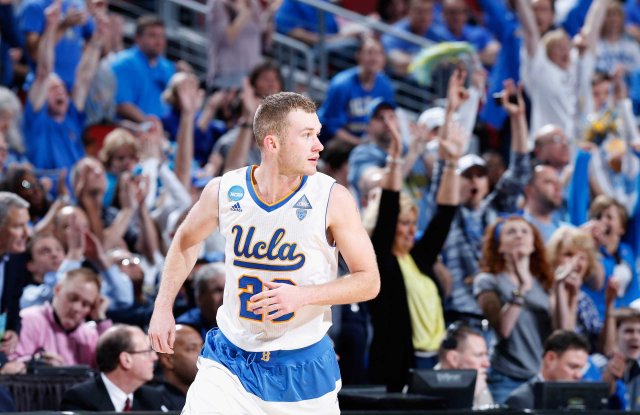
{"x": 425, "y": 309}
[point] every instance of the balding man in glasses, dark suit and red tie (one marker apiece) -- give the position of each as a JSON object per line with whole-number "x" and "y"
{"x": 125, "y": 360}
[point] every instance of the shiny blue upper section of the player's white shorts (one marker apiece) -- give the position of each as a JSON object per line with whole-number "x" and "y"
{"x": 281, "y": 375}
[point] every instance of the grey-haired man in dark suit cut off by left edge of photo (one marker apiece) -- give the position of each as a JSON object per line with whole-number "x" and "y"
{"x": 14, "y": 233}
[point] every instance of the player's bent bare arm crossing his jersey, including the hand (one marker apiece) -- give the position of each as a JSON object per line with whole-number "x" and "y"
{"x": 345, "y": 228}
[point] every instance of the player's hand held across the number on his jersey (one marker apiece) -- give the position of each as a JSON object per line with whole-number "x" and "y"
{"x": 278, "y": 299}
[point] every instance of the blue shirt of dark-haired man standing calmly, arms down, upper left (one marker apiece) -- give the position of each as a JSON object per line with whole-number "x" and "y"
{"x": 139, "y": 83}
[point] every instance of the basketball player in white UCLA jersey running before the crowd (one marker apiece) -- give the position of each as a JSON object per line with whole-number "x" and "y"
{"x": 284, "y": 224}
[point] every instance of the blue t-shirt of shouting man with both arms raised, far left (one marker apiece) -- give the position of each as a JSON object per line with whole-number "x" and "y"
{"x": 52, "y": 144}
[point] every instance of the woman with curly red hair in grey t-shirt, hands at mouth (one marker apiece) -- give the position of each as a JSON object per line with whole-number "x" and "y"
{"x": 513, "y": 292}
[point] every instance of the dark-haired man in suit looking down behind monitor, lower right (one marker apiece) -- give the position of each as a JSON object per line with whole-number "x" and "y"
{"x": 565, "y": 356}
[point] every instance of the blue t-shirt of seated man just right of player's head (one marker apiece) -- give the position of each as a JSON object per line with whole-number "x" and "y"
{"x": 347, "y": 102}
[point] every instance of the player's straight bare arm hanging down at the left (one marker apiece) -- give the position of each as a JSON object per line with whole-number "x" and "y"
{"x": 201, "y": 221}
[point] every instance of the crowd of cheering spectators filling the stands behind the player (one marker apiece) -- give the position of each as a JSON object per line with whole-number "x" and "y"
{"x": 505, "y": 219}
